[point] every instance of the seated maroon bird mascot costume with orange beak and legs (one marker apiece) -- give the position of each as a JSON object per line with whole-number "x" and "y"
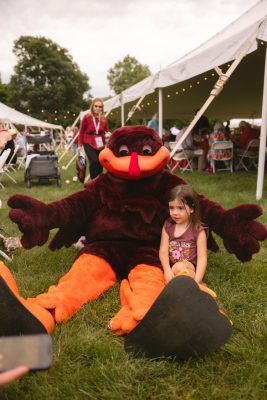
{"x": 121, "y": 214}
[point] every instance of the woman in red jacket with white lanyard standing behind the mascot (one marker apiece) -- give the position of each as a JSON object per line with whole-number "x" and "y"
{"x": 92, "y": 135}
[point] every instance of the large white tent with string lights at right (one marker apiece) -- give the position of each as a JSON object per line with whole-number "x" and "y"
{"x": 236, "y": 53}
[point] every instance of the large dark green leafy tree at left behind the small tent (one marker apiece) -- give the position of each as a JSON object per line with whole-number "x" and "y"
{"x": 47, "y": 82}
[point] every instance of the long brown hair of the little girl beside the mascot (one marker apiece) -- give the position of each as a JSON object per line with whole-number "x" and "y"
{"x": 188, "y": 197}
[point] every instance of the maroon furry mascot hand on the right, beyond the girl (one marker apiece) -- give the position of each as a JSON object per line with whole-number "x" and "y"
{"x": 240, "y": 233}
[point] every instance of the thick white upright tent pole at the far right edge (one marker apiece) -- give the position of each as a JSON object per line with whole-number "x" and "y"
{"x": 262, "y": 149}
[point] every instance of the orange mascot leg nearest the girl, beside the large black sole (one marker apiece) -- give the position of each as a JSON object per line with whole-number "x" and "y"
{"x": 138, "y": 293}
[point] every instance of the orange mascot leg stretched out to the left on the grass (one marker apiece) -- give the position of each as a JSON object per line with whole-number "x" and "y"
{"x": 87, "y": 279}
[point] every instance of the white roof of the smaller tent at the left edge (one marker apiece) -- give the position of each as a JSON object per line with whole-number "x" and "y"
{"x": 10, "y": 115}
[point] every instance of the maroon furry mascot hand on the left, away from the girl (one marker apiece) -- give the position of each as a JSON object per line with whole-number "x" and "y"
{"x": 32, "y": 218}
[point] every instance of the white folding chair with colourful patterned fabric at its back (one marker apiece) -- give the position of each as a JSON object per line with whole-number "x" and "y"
{"x": 224, "y": 155}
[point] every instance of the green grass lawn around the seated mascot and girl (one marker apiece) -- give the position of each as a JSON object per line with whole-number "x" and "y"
{"x": 90, "y": 362}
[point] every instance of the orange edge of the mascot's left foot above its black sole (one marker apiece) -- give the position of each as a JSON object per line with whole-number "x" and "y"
{"x": 40, "y": 313}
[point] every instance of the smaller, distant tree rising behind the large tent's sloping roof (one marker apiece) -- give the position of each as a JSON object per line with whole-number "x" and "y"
{"x": 126, "y": 73}
